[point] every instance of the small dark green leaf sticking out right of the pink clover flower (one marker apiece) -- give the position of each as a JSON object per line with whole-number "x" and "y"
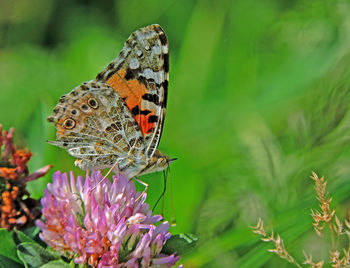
{"x": 180, "y": 243}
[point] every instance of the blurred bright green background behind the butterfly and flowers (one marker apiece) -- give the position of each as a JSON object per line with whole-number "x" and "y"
{"x": 258, "y": 98}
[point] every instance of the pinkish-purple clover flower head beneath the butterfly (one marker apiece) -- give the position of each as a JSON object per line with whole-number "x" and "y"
{"x": 97, "y": 221}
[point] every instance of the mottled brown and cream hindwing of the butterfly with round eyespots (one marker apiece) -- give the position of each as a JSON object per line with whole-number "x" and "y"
{"x": 95, "y": 125}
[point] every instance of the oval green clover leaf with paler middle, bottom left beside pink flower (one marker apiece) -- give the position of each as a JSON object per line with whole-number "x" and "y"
{"x": 33, "y": 255}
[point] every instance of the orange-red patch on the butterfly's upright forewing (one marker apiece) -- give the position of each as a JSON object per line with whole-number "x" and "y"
{"x": 132, "y": 91}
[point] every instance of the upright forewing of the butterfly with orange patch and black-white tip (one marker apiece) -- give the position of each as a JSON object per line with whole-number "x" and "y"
{"x": 140, "y": 76}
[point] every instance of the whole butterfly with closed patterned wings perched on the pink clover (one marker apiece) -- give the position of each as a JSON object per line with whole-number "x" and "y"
{"x": 116, "y": 120}
